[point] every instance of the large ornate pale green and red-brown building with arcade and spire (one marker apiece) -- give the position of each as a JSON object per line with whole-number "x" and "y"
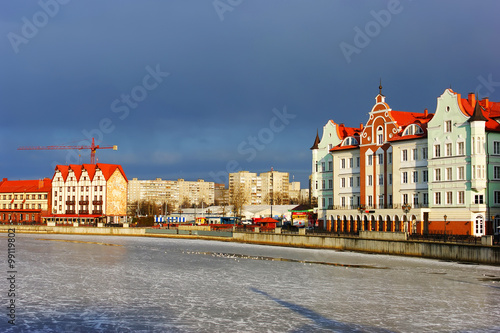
{"x": 414, "y": 172}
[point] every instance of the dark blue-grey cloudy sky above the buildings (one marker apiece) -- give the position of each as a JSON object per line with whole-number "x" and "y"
{"x": 195, "y": 89}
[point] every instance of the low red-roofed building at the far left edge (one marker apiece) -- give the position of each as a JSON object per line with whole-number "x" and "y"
{"x": 24, "y": 201}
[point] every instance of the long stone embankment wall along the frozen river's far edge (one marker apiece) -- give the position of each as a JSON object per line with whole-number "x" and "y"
{"x": 367, "y": 241}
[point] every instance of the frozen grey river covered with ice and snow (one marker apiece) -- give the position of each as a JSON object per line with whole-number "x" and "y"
{"x": 70, "y": 283}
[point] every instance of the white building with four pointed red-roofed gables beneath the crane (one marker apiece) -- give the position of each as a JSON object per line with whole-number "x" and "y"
{"x": 88, "y": 194}
